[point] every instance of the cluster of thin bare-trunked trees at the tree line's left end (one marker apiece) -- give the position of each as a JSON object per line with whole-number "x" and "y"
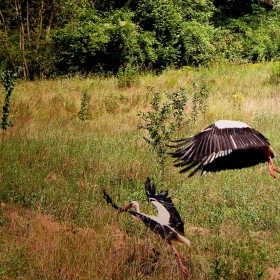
{"x": 25, "y": 27}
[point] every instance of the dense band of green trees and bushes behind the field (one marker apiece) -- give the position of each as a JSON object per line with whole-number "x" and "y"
{"x": 50, "y": 38}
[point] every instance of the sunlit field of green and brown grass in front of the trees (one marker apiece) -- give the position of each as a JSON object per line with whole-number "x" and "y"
{"x": 54, "y": 223}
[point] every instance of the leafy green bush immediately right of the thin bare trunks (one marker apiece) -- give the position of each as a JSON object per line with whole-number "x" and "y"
{"x": 79, "y": 43}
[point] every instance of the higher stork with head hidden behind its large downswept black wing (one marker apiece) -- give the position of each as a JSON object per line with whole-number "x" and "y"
{"x": 224, "y": 145}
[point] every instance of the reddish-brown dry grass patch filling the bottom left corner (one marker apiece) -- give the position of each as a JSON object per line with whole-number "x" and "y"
{"x": 55, "y": 250}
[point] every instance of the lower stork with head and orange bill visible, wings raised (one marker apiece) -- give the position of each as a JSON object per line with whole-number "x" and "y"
{"x": 168, "y": 223}
